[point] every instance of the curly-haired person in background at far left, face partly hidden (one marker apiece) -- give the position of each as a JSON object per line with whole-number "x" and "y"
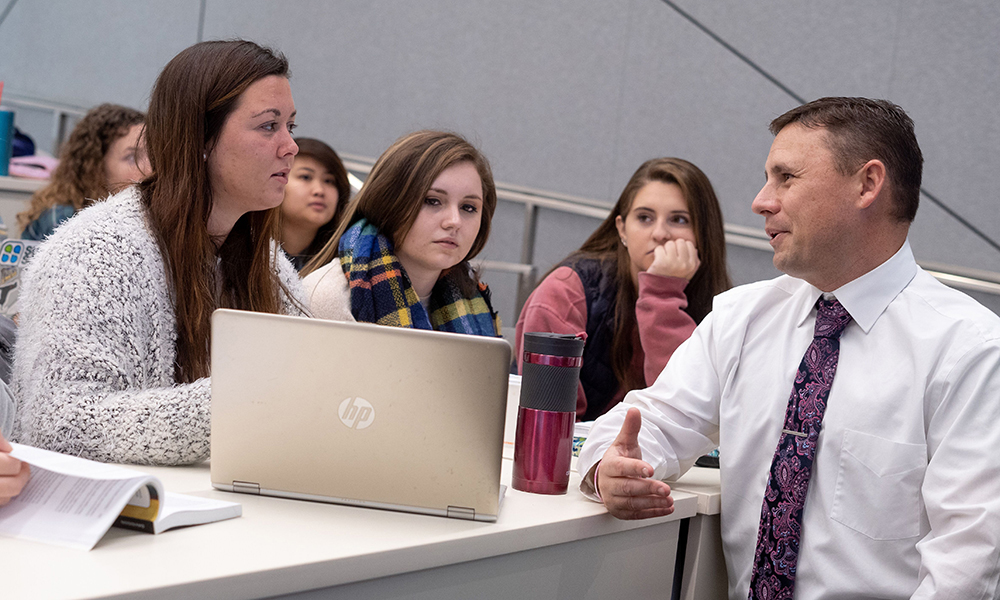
{"x": 104, "y": 153}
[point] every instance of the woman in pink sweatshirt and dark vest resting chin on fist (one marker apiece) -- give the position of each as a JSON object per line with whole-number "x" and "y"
{"x": 638, "y": 285}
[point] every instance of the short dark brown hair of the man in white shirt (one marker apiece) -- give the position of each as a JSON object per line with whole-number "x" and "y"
{"x": 862, "y": 129}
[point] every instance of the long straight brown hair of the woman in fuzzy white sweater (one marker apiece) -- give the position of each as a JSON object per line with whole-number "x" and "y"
{"x": 188, "y": 107}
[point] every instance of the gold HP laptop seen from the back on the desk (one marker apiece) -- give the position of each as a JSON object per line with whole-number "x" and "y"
{"x": 359, "y": 414}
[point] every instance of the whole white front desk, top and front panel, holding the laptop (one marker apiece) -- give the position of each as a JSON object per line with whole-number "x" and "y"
{"x": 541, "y": 547}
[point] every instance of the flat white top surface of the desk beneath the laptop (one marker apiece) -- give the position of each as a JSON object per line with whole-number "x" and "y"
{"x": 300, "y": 545}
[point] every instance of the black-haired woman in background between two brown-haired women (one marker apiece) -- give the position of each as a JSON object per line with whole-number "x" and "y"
{"x": 317, "y": 192}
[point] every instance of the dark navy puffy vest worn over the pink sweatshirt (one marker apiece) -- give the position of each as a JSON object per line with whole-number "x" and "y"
{"x": 598, "y": 375}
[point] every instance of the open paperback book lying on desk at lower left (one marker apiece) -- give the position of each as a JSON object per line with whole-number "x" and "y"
{"x": 73, "y": 502}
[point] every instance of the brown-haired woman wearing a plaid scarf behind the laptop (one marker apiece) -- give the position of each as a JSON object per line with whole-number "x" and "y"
{"x": 401, "y": 254}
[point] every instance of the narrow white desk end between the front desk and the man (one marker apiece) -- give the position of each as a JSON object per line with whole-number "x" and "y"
{"x": 705, "y": 576}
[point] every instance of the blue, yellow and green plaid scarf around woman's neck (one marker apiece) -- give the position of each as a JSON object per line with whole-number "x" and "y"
{"x": 381, "y": 292}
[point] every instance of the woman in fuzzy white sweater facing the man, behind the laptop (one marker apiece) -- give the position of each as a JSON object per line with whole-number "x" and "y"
{"x": 112, "y": 360}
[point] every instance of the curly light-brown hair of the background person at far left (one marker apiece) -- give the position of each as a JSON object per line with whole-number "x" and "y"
{"x": 80, "y": 179}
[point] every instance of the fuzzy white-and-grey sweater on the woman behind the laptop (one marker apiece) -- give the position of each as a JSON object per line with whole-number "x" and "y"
{"x": 94, "y": 360}
